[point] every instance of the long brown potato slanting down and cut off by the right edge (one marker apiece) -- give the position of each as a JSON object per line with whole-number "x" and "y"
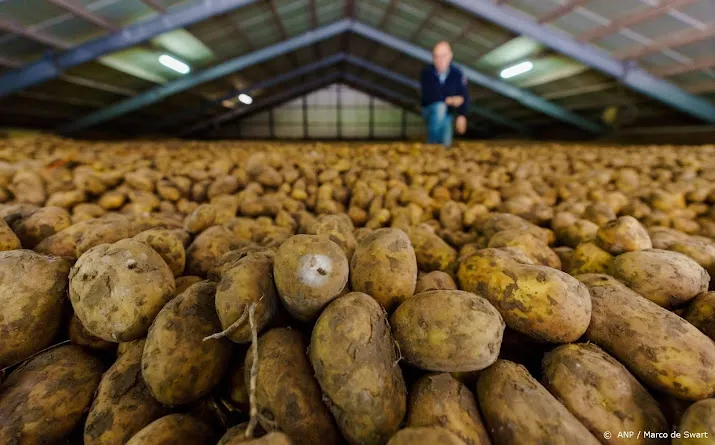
{"x": 659, "y": 347}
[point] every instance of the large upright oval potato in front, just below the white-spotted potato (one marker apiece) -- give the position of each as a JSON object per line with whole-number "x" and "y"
{"x": 352, "y": 353}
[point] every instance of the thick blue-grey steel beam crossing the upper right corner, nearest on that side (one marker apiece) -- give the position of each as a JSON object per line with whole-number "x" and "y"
{"x": 632, "y": 76}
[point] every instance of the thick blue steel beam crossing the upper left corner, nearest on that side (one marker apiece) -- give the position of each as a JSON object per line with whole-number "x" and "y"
{"x": 52, "y": 66}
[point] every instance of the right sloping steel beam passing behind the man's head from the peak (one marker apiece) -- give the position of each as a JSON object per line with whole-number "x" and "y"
{"x": 524, "y": 97}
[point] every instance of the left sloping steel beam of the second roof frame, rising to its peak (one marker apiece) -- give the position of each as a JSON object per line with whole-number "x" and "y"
{"x": 192, "y": 80}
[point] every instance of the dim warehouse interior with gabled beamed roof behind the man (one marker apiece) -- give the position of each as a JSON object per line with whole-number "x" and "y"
{"x": 595, "y": 68}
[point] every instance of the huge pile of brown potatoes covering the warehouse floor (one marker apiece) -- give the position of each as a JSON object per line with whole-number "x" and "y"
{"x": 177, "y": 292}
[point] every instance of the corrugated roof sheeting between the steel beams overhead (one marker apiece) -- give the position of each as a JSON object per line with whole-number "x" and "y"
{"x": 477, "y": 43}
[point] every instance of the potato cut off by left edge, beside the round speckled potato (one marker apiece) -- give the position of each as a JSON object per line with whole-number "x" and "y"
{"x": 32, "y": 297}
